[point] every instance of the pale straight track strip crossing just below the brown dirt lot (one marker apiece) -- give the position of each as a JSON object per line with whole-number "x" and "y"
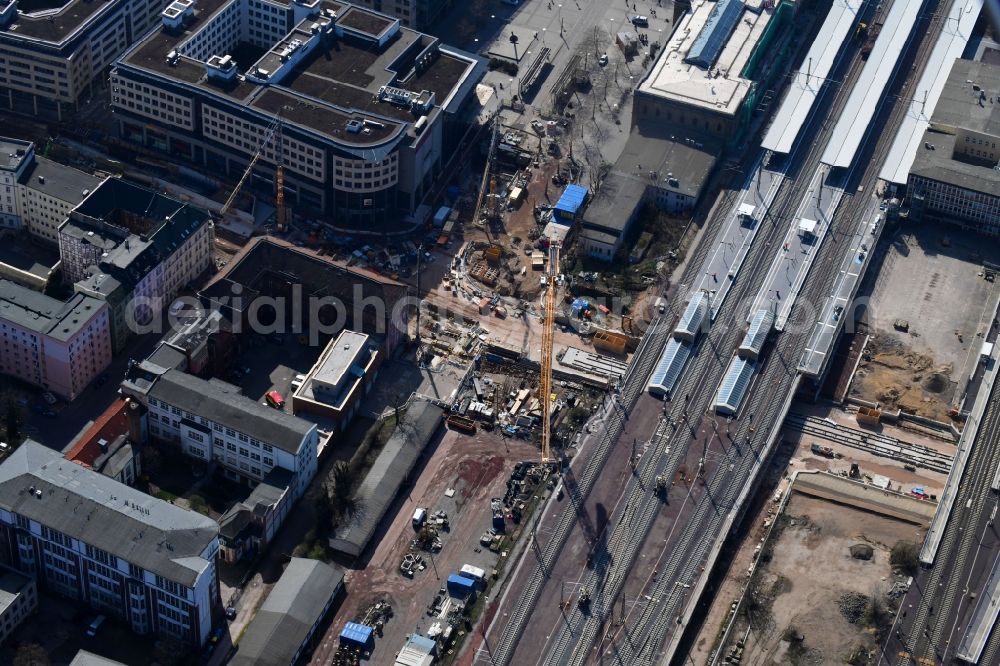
{"x": 874, "y": 443}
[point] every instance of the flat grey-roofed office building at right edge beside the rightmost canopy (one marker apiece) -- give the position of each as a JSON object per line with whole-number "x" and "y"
{"x": 955, "y": 176}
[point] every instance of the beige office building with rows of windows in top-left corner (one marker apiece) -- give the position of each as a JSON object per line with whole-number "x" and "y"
{"x": 55, "y": 53}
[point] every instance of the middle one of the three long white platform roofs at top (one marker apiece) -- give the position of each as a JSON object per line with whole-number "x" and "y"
{"x": 869, "y": 89}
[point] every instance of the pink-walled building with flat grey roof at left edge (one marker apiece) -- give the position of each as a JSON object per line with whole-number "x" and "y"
{"x": 59, "y": 346}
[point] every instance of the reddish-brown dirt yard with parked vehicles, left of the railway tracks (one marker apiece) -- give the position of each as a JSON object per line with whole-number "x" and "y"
{"x": 477, "y": 468}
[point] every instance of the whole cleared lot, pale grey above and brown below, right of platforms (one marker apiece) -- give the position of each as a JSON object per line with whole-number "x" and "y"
{"x": 932, "y": 278}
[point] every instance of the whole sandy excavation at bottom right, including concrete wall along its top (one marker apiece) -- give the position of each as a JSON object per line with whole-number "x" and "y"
{"x": 827, "y": 572}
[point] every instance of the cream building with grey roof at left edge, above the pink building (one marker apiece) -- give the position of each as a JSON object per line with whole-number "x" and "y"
{"x": 38, "y": 193}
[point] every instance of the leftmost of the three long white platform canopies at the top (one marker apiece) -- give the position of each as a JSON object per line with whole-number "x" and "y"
{"x": 805, "y": 87}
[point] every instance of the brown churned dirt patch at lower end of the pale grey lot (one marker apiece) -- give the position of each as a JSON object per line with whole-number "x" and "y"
{"x": 894, "y": 375}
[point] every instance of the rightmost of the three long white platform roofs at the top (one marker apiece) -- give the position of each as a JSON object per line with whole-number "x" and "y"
{"x": 952, "y": 40}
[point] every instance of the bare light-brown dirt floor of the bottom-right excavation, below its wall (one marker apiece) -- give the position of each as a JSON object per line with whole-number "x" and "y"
{"x": 810, "y": 570}
